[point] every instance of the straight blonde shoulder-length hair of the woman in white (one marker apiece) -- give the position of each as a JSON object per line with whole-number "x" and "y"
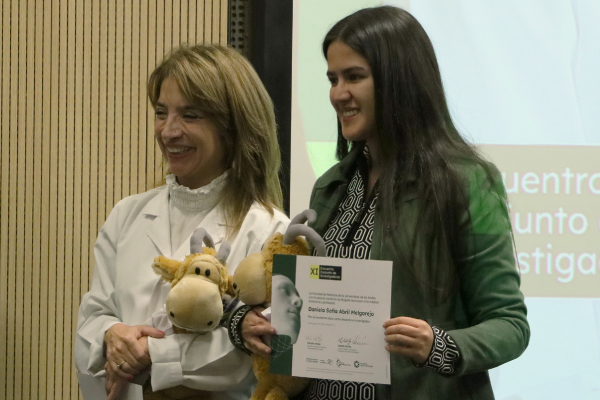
{"x": 224, "y": 86}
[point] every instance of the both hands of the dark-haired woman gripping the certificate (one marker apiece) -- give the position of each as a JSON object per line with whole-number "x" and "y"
{"x": 407, "y": 336}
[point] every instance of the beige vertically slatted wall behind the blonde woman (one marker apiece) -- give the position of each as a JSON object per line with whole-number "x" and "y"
{"x": 76, "y": 136}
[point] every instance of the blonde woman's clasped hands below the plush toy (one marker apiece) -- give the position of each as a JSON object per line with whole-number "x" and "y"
{"x": 127, "y": 354}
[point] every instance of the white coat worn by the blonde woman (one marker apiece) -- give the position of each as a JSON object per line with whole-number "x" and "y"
{"x": 126, "y": 289}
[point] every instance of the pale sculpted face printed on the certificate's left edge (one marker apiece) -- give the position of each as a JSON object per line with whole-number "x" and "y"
{"x": 289, "y": 305}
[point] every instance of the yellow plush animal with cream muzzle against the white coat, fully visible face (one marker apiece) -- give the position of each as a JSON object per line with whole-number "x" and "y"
{"x": 198, "y": 283}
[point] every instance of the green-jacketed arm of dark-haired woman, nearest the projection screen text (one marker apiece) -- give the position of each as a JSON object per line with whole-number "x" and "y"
{"x": 498, "y": 330}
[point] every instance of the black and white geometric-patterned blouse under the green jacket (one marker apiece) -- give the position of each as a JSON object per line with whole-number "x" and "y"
{"x": 350, "y": 235}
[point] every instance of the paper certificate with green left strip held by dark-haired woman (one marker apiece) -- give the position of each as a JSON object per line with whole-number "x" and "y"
{"x": 329, "y": 313}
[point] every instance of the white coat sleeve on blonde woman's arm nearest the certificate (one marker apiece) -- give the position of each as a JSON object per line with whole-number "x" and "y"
{"x": 210, "y": 361}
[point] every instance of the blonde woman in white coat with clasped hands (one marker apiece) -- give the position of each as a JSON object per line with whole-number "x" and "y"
{"x": 216, "y": 129}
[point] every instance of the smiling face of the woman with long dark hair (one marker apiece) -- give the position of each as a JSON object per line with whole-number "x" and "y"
{"x": 352, "y": 92}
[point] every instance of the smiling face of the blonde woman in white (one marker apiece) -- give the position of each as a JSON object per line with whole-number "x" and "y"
{"x": 188, "y": 140}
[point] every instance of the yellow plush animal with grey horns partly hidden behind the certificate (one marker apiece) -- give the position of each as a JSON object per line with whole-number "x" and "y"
{"x": 252, "y": 282}
